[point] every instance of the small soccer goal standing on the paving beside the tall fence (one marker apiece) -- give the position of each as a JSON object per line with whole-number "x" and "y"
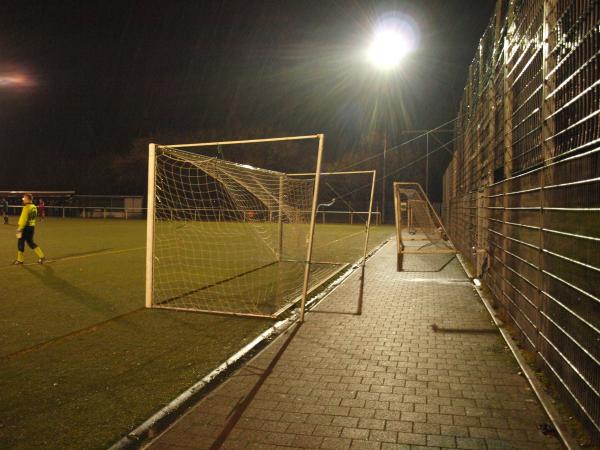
{"x": 422, "y": 242}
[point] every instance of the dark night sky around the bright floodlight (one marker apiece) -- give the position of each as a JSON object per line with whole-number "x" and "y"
{"x": 82, "y": 83}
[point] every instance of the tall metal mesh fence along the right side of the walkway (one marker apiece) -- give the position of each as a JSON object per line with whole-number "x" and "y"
{"x": 522, "y": 192}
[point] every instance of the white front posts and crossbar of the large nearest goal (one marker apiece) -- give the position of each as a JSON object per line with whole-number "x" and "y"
{"x": 151, "y": 217}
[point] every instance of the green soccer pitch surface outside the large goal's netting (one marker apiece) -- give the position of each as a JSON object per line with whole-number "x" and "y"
{"x": 83, "y": 362}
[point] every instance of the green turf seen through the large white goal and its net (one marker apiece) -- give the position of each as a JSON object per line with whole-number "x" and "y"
{"x": 238, "y": 268}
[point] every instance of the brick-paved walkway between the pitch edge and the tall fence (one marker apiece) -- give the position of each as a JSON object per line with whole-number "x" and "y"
{"x": 381, "y": 380}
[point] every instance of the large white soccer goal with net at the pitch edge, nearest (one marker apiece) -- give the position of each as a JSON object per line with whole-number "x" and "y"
{"x": 230, "y": 238}
